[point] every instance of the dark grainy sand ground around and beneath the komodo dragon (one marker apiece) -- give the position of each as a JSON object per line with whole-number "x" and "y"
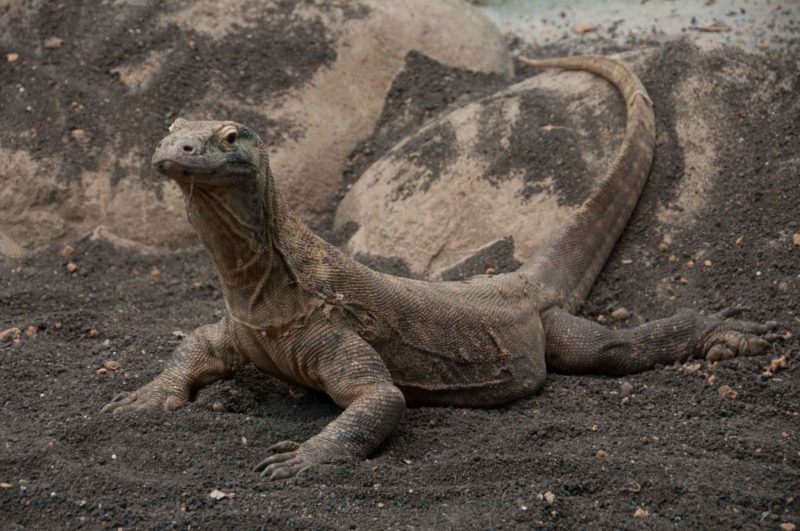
{"x": 675, "y": 447}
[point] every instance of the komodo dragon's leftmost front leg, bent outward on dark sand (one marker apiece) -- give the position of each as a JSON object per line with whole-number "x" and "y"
{"x": 207, "y": 355}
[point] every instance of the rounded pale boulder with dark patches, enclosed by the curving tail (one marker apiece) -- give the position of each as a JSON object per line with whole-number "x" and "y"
{"x": 512, "y": 167}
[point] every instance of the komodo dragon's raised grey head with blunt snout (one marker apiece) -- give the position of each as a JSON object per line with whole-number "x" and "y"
{"x": 209, "y": 154}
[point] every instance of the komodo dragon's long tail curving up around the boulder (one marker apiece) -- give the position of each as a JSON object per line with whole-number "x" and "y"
{"x": 571, "y": 263}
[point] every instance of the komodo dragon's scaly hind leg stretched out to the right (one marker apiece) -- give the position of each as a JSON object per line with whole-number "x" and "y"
{"x": 579, "y": 346}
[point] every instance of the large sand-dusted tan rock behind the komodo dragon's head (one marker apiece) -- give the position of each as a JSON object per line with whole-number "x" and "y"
{"x": 81, "y": 119}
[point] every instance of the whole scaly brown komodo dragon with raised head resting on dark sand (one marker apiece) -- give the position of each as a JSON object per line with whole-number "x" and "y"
{"x": 303, "y": 312}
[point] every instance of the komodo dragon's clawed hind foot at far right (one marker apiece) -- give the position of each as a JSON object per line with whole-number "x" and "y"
{"x": 725, "y": 338}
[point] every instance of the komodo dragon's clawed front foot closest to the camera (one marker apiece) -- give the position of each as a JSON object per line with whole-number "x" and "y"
{"x": 292, "y": 459}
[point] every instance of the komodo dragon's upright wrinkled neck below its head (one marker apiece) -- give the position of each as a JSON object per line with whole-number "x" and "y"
{"x": 248, "y": 230}
